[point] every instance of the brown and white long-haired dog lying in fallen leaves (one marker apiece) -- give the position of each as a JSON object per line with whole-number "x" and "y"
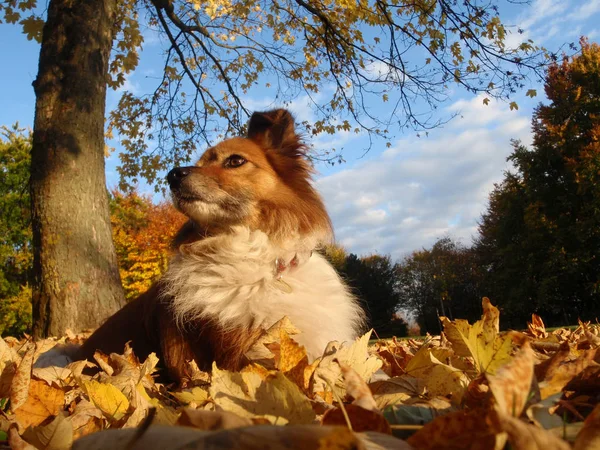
{"x": 246, "y": 258}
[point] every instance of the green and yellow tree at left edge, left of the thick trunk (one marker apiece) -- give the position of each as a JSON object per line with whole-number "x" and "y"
{"x": 15, "y": 231}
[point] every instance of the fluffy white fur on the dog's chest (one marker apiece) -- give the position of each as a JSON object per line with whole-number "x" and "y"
{"x": 231, "y": 279}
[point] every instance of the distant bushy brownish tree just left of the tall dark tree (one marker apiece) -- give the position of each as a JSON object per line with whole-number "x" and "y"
{"x": 441, "y": 281}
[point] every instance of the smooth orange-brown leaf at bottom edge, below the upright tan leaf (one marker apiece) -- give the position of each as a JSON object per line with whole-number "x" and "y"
{"x": 523, "y": 436}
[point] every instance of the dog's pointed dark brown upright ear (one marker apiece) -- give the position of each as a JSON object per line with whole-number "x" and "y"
{"x": 273, "y": 130}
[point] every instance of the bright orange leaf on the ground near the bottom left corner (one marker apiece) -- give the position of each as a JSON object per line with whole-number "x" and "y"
{"x": 43, "y": 401}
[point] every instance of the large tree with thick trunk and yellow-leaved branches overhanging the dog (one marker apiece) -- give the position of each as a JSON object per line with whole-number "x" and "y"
{"x": 341, "y": 55}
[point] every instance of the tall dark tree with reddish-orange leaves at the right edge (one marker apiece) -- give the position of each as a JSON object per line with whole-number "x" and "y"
{"x": 540, "y": 237}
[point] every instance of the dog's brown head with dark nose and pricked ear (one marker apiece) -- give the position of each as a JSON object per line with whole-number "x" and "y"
{"x": 262, "y": 181}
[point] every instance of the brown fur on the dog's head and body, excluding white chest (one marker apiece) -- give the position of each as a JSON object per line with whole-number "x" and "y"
{"x": 272, "y": 192}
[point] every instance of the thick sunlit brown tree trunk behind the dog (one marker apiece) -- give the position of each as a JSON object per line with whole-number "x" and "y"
{"x": 77, "y": 283}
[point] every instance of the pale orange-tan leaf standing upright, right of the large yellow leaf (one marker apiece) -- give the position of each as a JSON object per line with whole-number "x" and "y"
{"x": 511, "y": 384}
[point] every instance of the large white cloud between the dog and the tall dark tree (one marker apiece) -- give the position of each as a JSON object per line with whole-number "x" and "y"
{"x": 424, "y": 188}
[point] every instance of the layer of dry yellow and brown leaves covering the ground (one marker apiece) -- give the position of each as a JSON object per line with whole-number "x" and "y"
{"x": 472, "y": 387}
